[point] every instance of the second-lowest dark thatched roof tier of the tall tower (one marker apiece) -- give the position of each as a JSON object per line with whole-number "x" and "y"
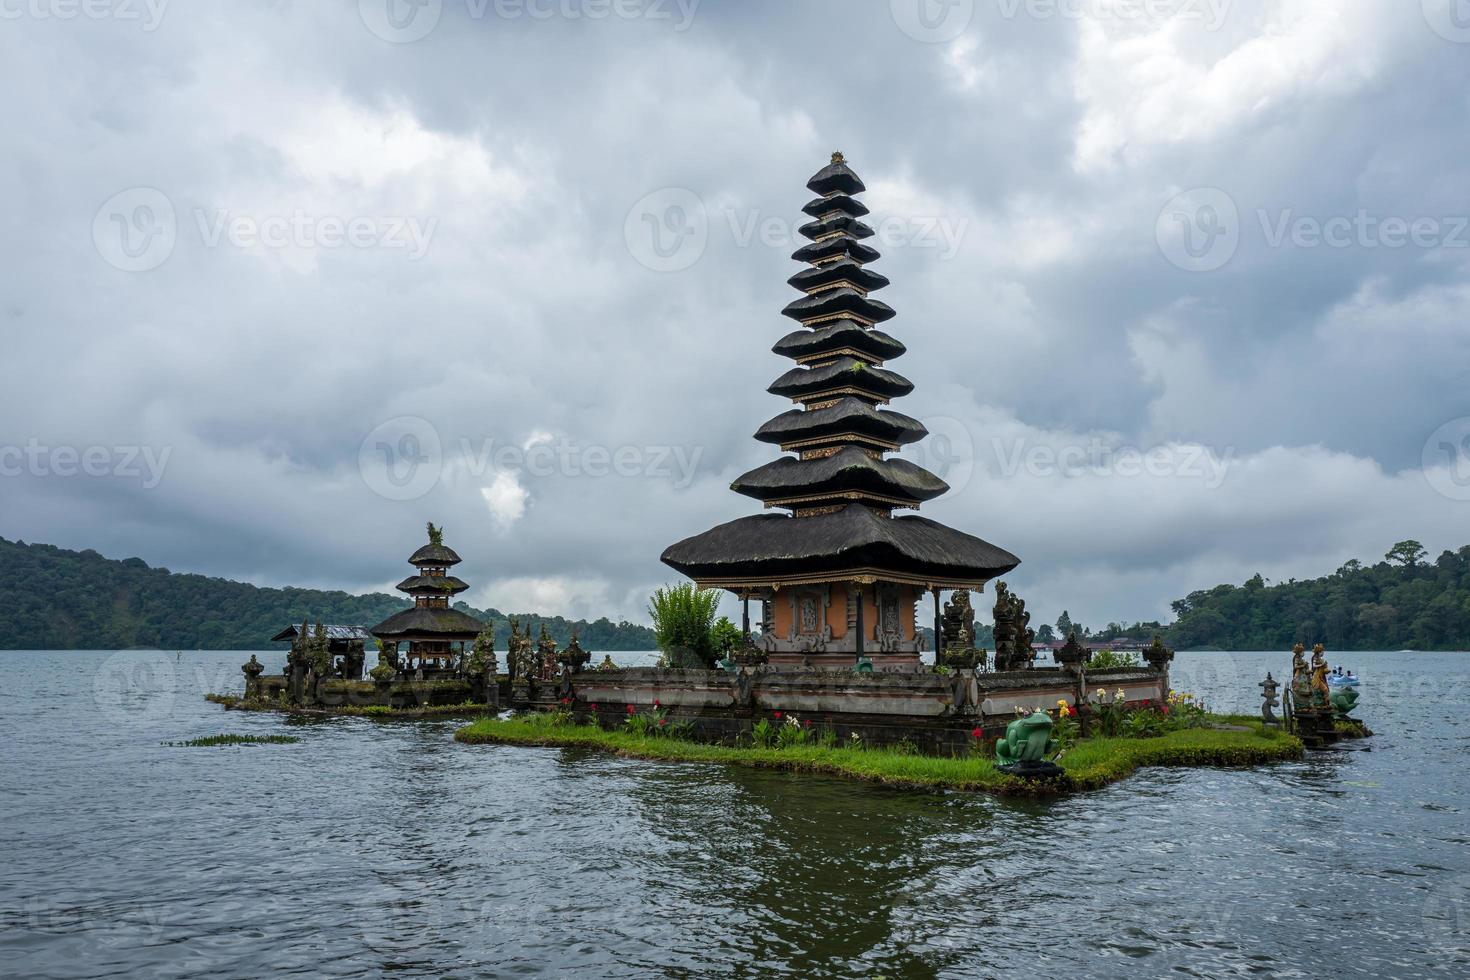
{"x": 850, "y": 469}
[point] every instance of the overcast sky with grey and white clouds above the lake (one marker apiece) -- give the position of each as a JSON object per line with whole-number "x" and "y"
{"x": 1184, "y": 283}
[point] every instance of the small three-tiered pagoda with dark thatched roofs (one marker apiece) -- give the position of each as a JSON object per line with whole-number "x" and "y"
{"x": 436, "y": 635}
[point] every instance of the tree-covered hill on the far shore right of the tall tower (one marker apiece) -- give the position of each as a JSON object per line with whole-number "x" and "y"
{"x": 1402, "y": 603}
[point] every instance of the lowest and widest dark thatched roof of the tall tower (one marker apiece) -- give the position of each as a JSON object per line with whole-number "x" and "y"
{"x": 774, "y": 546}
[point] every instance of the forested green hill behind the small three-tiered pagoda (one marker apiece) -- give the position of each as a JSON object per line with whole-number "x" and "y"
{"x": 79, "y": 600}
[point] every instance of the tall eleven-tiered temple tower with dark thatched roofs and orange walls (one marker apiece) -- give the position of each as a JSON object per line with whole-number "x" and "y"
{"x": 840, "y": 577}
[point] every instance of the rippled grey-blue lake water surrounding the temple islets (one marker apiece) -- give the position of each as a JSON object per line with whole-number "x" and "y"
{"x": 376, "y": 849}
